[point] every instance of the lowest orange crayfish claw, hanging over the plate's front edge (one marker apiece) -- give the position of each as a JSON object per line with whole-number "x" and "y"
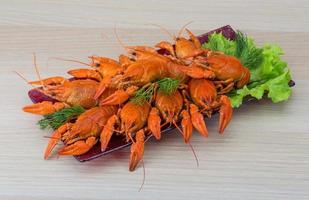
{"x": 137, "y": 150}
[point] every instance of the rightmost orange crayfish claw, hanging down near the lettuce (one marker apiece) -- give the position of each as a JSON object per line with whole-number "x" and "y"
{"x": 226, "y": 112}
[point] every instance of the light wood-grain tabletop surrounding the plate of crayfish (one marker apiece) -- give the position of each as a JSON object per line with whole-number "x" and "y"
{"x": 264, "y": 153}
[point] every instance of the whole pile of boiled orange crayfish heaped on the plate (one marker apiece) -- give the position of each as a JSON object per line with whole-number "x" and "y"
{"x": 139, "y": 94}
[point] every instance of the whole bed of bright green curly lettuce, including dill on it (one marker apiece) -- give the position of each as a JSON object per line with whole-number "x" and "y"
{"x": 269, "y": 74}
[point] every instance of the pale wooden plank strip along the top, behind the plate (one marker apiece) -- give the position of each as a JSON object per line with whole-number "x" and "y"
{"x": 274, "y": 15}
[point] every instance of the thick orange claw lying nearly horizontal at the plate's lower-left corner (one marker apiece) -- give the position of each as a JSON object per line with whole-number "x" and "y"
{"x": 79, "y": 147}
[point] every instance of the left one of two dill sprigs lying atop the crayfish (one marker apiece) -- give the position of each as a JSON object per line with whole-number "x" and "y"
{"x": 143, "y": 94}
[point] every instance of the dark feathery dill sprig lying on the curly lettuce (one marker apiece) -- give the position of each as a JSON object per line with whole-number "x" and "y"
{"x": 249, "y": 55}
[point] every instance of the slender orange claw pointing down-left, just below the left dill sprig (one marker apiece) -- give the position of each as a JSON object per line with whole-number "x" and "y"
{"x": 55, "y": 137}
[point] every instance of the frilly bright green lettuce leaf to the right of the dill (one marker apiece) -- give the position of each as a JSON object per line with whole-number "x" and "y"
{"x": 272, "y": 75}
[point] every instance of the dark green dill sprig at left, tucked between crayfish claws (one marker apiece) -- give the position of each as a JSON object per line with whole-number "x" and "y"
{"x": 57, "y": 119}
